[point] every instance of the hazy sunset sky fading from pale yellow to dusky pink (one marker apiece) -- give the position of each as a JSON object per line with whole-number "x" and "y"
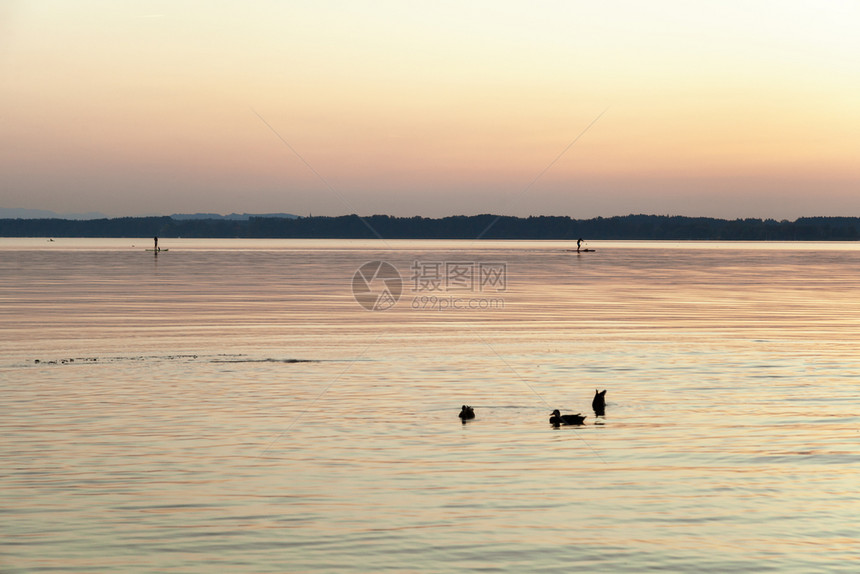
{"x": 433, "y": 108}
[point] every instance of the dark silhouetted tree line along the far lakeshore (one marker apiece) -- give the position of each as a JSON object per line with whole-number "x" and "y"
{"x": 487, "y": 226}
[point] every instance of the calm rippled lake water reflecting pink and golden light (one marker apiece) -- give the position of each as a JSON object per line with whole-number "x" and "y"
{"x": 228, "y": 405}
